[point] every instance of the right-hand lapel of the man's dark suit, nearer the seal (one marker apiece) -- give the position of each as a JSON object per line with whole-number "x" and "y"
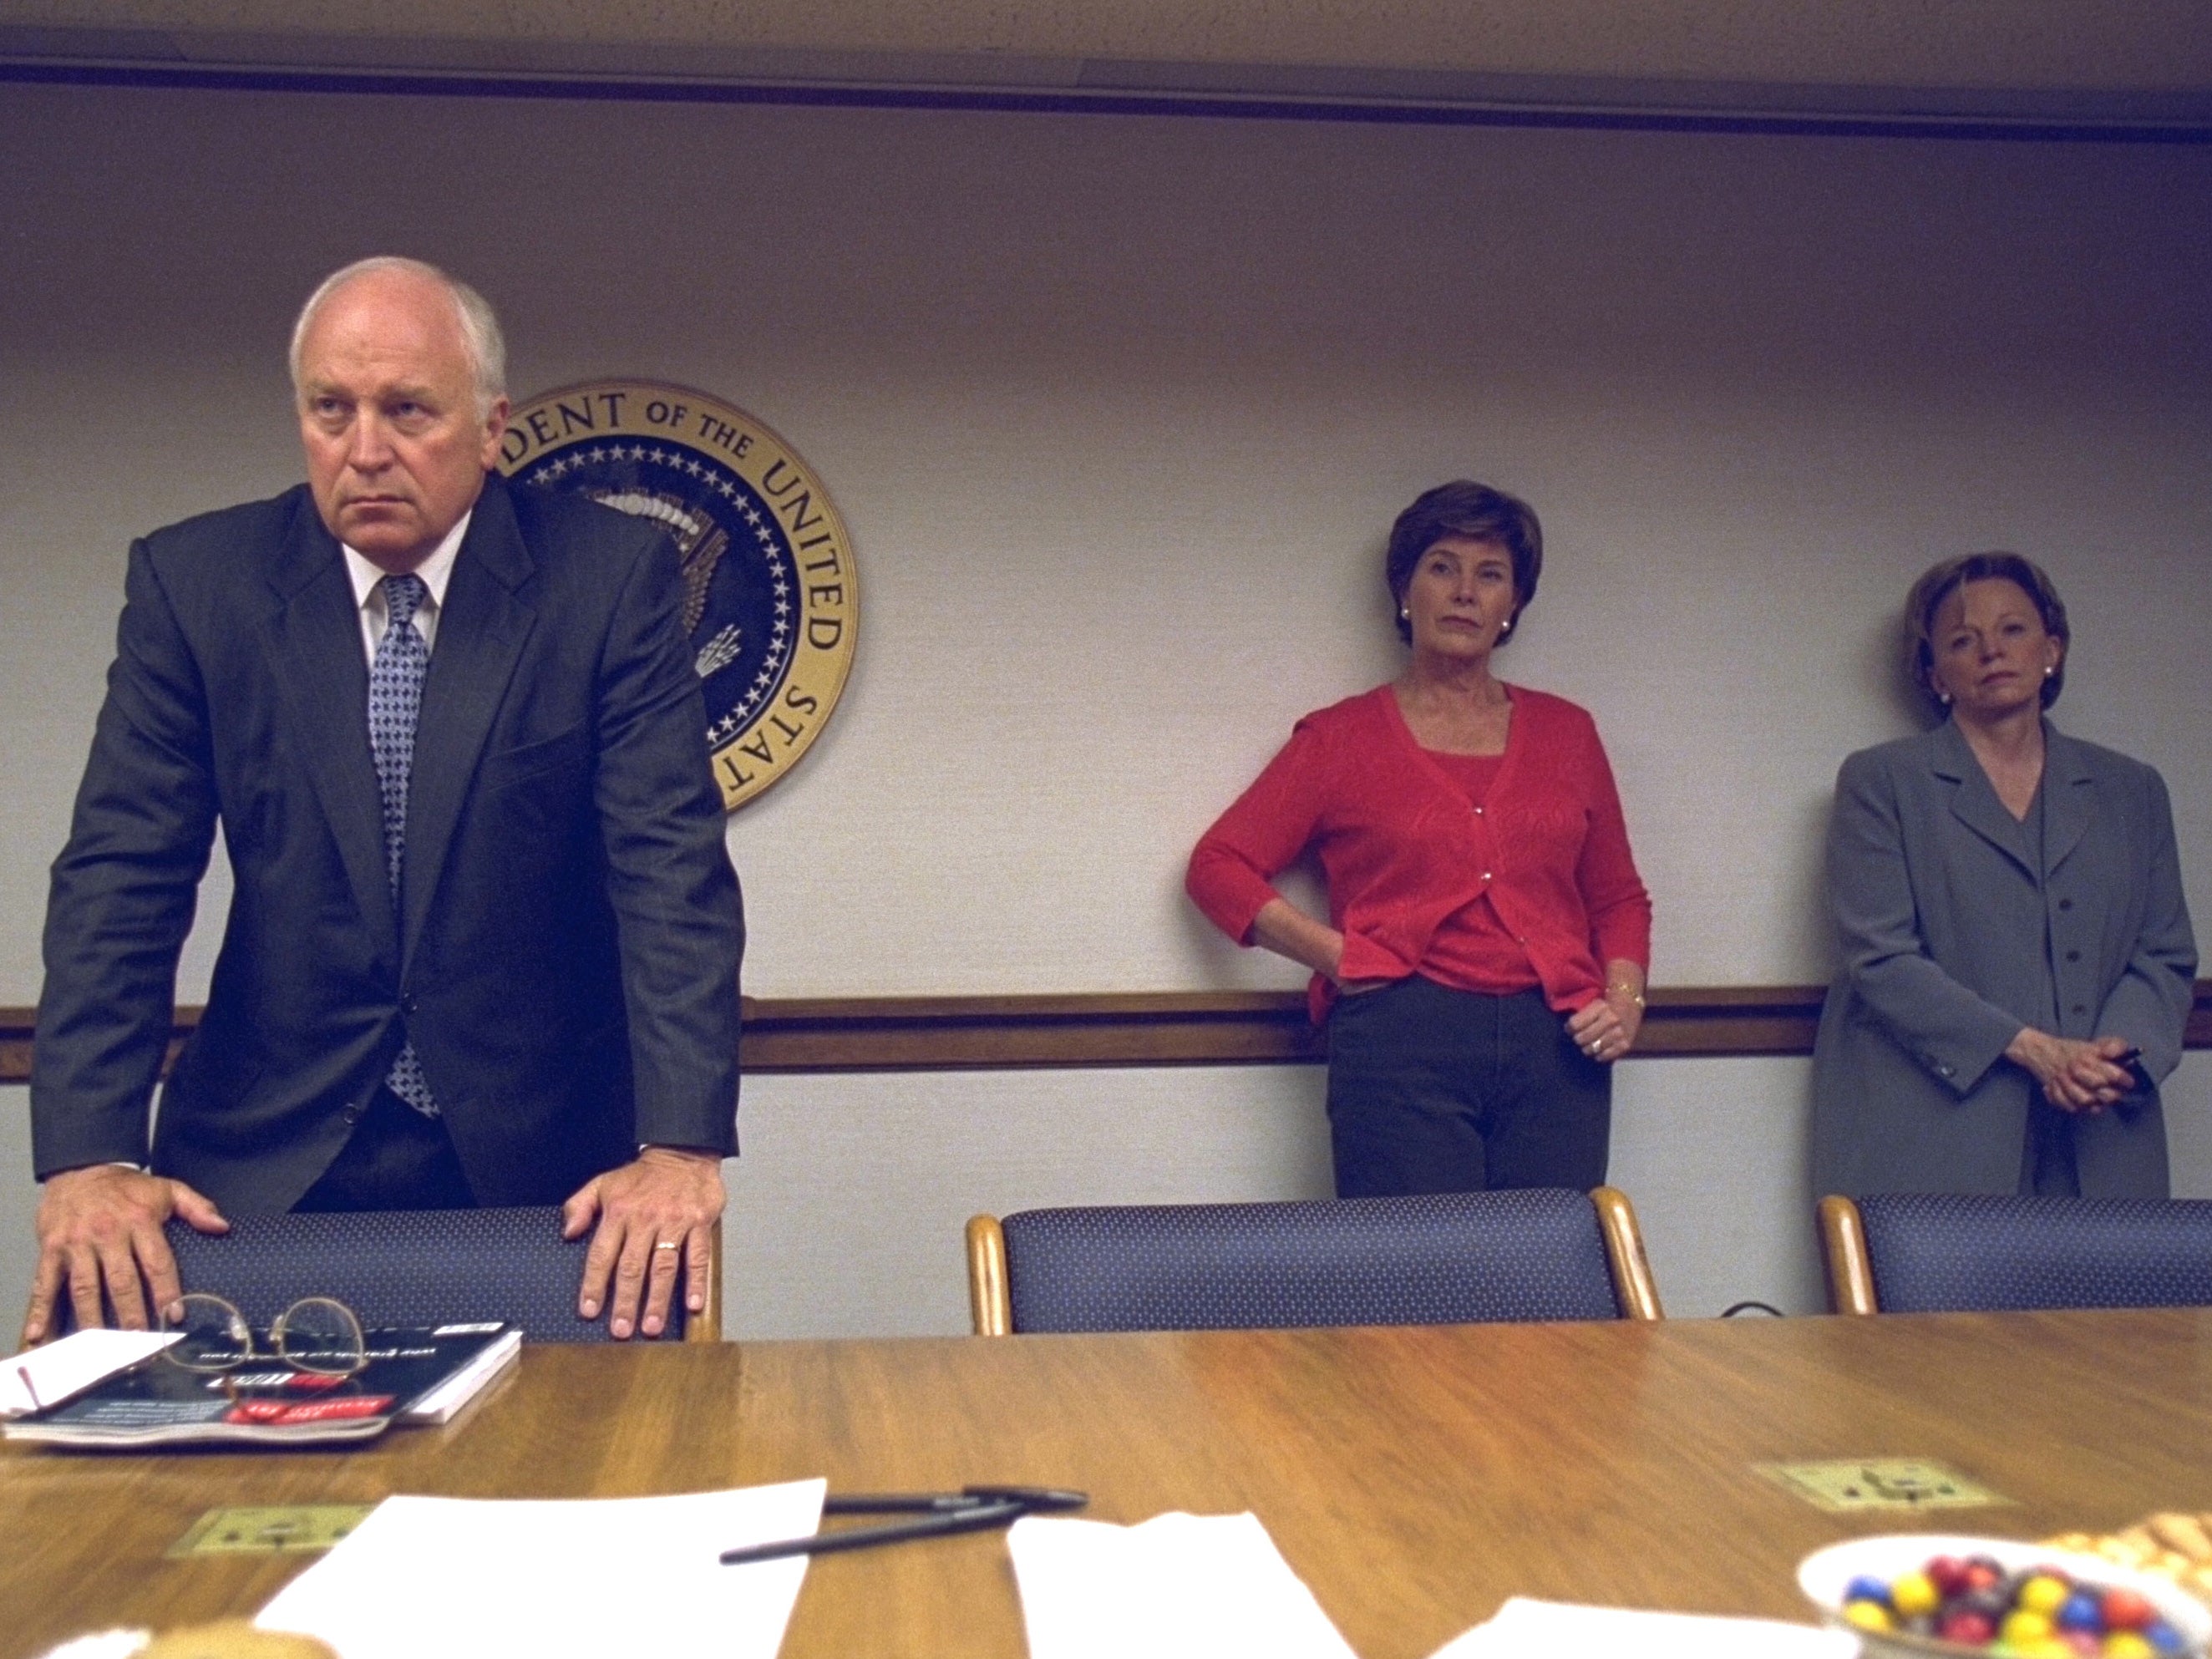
{"x": 481, "y": 632}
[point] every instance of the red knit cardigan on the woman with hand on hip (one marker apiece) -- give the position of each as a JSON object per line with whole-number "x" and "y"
{"x": 1404, "y": 848}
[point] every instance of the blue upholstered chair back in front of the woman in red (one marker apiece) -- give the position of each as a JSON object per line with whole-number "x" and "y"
{"x": 1437, "y": 1260}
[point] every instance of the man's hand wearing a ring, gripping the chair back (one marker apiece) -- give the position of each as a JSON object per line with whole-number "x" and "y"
{"x": 651, "y": 1215}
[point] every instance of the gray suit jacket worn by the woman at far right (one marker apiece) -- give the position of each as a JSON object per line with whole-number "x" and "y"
{"x": 1945, "y": 959}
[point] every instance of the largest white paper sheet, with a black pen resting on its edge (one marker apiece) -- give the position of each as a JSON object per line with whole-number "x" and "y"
{"x": 556, "y": 1578}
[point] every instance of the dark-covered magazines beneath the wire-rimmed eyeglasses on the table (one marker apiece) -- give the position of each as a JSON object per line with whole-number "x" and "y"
{"x": 408, "y": 1377}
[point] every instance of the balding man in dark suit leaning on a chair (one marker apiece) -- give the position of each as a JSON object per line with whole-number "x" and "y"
{"x": 483, "y": 939}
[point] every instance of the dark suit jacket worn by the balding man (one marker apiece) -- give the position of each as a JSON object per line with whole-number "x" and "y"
{"x": 567, "y": 946}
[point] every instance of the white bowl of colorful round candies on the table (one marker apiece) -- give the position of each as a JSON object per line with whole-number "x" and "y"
{"x": 1923, "y": 1594}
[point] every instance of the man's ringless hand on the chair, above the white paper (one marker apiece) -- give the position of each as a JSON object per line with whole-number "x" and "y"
{"x": 101, "y": 1240}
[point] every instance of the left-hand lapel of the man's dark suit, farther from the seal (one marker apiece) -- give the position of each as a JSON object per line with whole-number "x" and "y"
{"x": 313, "y": 645}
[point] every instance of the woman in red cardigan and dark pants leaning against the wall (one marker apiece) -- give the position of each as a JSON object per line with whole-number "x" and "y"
{"x": 1483, "y": 963}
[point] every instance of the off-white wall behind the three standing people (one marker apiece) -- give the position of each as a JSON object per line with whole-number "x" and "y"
{"x": 1118, "y": 413}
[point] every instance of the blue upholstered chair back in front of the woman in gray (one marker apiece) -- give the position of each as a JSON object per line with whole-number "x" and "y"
{"x": 1954, "y": 1253}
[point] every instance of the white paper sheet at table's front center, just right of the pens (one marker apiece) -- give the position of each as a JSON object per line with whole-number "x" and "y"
{"x": 1173, "y": 1587}
